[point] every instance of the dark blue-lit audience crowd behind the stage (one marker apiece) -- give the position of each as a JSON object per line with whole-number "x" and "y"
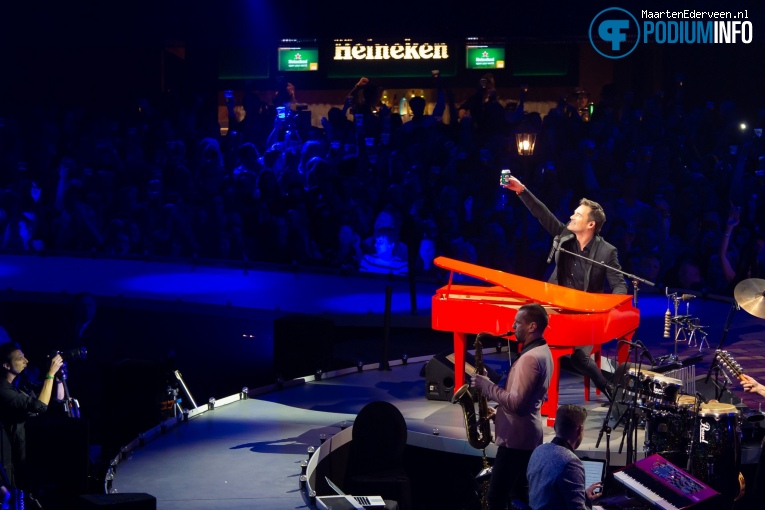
{"x": 682, "y": 185}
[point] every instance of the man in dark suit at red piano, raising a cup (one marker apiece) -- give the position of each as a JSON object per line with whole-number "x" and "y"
{"x": 581, "y": 235}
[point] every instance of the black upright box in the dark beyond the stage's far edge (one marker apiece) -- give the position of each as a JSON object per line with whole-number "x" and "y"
{"x": 302, "y": 344}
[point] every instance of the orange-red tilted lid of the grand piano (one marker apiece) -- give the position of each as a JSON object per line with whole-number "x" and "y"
{"x": 541, "y": 292}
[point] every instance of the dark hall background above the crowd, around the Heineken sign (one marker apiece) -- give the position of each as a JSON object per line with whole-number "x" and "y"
{"x": 104, "y": 53}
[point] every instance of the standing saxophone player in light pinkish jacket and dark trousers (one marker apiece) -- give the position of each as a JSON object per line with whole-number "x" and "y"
{"x": 518, "y": 421}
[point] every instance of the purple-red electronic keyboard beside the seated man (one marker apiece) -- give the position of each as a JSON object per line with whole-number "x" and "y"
{"x": 663, "y": 484}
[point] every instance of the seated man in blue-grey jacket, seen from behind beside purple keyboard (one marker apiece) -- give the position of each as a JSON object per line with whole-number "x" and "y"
{"x": 555, "y": 473}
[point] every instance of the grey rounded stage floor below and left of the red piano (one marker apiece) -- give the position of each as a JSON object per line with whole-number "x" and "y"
{"x": 247, "y": 454}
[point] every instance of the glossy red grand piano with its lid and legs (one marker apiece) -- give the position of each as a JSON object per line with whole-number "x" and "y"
{"x": 576, "y": 317}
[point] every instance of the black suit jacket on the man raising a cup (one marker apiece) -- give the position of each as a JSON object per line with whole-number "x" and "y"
{"x": 595, "y": 276}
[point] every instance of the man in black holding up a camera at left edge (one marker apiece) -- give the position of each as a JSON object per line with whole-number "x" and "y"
{"x": 16, "y": 406}
